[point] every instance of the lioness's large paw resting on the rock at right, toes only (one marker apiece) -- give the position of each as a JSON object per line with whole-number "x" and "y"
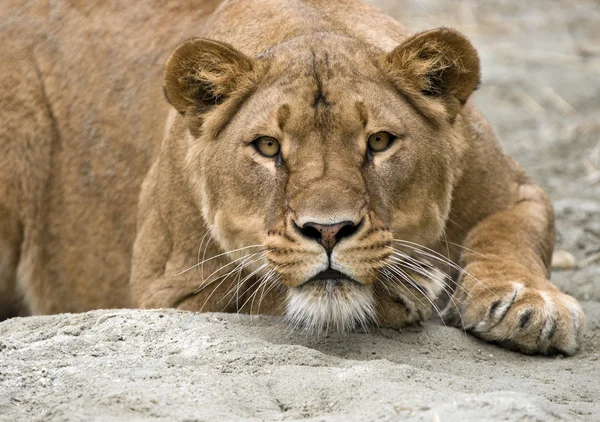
{"x": 526, "y": 319}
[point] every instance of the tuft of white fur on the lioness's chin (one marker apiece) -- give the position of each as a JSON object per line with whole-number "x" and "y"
{"x": 330, "y": 306}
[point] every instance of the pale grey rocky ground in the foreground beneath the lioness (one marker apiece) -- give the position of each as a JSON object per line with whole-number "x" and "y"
{"x": 170, "y": 365}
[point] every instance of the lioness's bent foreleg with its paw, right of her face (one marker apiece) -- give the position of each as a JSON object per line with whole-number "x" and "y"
{"x": 505, "y": 295}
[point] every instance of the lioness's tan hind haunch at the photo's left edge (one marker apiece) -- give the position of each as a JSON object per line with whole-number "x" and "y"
{"x": 27, "y": 130}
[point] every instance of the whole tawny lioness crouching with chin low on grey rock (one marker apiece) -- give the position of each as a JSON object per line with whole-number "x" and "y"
{"x": 314, "y": 160}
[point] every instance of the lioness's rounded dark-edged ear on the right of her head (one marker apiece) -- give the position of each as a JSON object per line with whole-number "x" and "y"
{"x": 441, "y": 64}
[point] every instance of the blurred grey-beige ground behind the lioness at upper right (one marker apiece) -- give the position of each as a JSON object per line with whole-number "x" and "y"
{"x": 541, "y": 92}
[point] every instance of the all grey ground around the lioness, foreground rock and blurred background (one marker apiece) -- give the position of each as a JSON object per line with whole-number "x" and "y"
{"x": 541, "y": 90}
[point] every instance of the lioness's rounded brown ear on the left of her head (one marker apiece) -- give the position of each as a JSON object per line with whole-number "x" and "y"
{"x": 202, "y": 73}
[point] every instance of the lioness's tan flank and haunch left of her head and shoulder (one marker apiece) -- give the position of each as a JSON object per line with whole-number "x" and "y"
{"x": 83, "y": 115}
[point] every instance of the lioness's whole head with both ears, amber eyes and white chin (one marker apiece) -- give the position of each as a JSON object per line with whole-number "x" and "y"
{"x": 325, "y": 152}
